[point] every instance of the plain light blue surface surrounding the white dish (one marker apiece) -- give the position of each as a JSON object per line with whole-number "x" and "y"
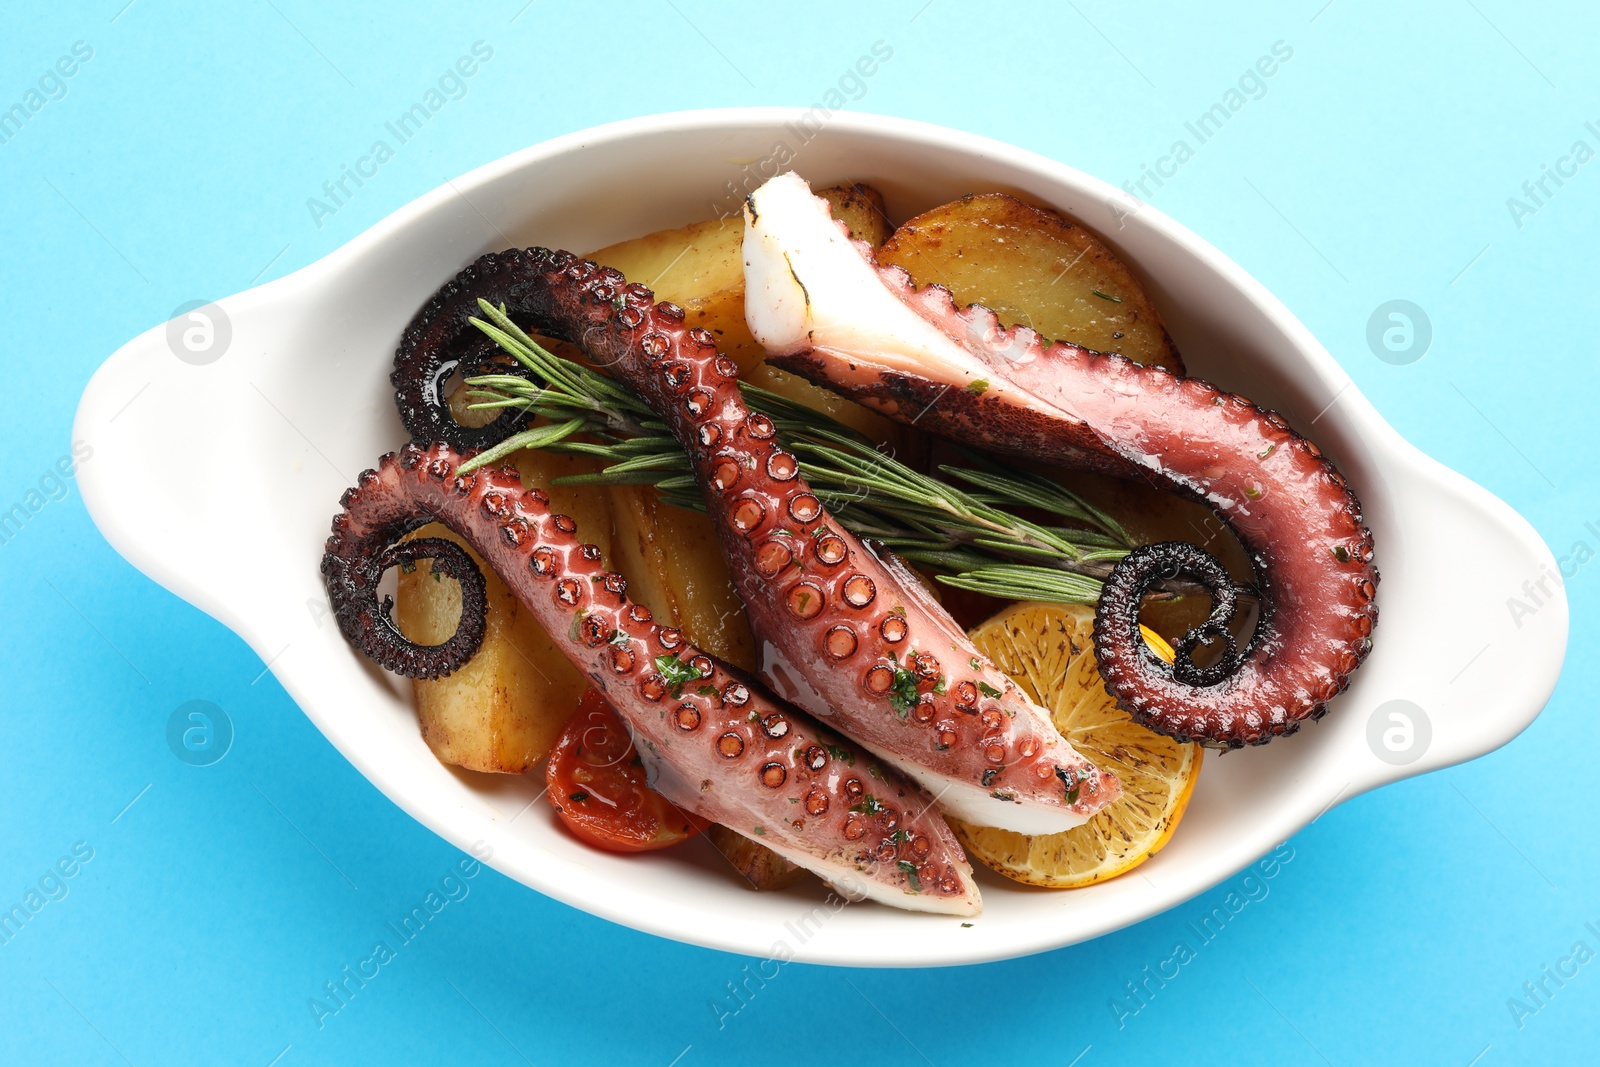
{"x": 178, "y": 167}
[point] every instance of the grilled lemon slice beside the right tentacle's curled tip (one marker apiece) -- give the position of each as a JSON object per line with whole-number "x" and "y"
{"x": 1049, "y": 650}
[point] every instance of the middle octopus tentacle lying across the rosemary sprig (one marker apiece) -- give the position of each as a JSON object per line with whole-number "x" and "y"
{"x": 844, "y": 634}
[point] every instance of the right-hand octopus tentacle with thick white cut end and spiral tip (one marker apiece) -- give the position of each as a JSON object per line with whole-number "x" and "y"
{"x": 1057, "y": 402}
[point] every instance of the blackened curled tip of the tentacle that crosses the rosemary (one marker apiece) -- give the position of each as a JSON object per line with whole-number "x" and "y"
{"x": 442, "y": 340}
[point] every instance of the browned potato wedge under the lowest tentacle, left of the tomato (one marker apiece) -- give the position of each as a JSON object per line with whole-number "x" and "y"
{"x": 506, "y": 706}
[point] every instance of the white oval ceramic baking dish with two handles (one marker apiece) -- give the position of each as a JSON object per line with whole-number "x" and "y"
{"x": 300, "y": 404}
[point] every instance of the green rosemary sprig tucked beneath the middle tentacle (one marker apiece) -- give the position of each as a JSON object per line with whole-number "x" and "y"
{"x": 961, "y": 522}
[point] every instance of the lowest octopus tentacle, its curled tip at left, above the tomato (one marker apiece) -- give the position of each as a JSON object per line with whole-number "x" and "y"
{"x": 714, "y": 745}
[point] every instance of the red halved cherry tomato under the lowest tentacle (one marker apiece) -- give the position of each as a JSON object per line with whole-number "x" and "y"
{"x": 598, "y": 785}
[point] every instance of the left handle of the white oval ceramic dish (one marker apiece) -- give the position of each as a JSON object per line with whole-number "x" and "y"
{"x": 193, "y": 393}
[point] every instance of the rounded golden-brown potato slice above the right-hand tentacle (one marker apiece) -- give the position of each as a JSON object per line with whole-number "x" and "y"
{"x": 1038, "y": 270}
